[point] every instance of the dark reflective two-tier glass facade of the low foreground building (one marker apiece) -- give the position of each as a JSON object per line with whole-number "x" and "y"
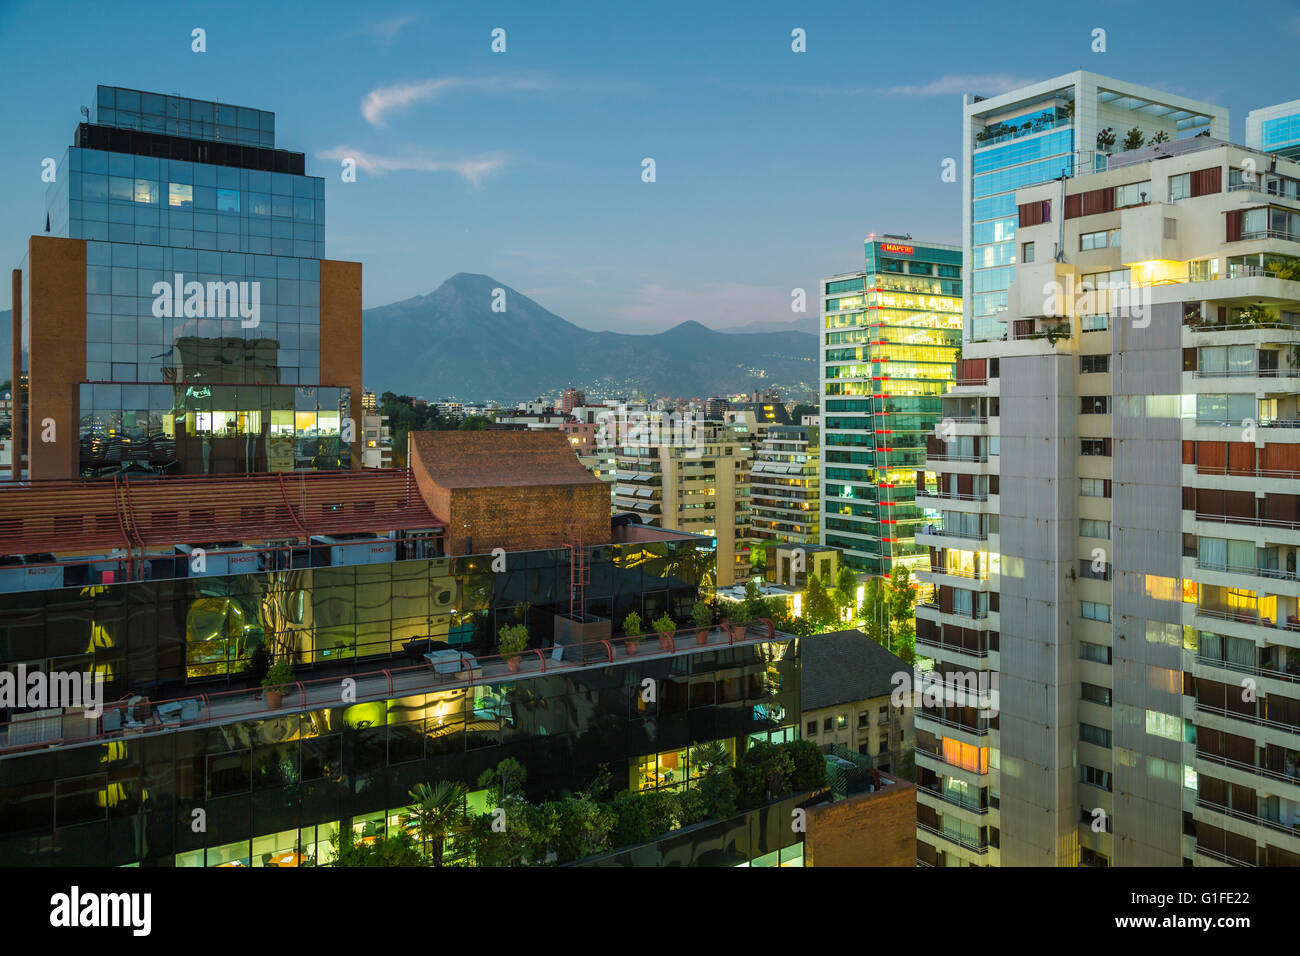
{"x": 278, "y": 786}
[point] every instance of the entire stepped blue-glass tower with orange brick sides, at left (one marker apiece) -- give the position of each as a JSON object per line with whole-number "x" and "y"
{"x": 180, "y": 317}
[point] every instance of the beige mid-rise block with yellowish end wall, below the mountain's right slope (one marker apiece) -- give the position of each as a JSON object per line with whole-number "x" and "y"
{"x": 701, "y": 485}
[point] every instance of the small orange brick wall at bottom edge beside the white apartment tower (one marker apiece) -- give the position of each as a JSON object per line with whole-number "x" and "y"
{"x": 866, "y": 830}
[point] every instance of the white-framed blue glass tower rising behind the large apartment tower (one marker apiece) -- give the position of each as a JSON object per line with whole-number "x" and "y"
{"x": 1037, "y": 135}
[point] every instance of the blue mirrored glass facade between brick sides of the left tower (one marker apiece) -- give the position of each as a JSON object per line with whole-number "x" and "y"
{"x": 200, "y": 276}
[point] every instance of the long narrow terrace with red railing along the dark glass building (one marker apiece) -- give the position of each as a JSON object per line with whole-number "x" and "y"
{"x": 138, "y": 716}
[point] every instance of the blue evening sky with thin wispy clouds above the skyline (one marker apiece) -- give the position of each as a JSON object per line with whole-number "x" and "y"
{"x": 772, "y": 166}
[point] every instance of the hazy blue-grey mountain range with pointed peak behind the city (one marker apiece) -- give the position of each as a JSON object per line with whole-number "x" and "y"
{"x": 450, "y": 344}
